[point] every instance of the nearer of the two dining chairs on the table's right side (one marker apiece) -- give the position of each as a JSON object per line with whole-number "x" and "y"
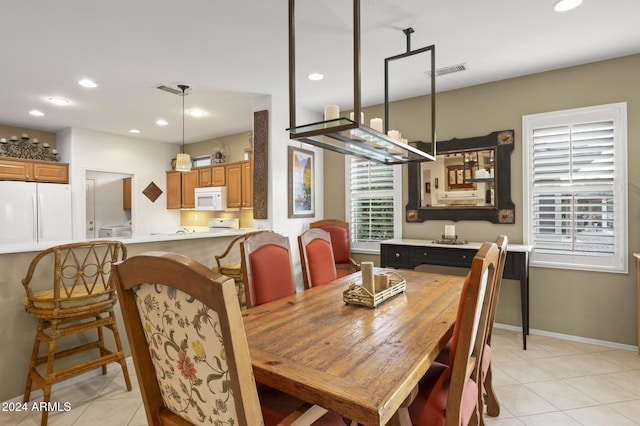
{"x": 448, "y": 394}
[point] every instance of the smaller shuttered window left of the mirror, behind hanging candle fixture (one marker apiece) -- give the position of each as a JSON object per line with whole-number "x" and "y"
{"x": 373, "y": 203}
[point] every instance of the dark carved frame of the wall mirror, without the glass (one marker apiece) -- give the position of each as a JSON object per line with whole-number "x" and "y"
{"x": 503, "y": 212}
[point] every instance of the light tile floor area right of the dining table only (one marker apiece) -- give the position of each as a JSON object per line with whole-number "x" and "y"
{"x": 559, "y": 382}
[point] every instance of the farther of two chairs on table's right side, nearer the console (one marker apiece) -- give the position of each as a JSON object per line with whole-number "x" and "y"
{"x": 486, "y": 393}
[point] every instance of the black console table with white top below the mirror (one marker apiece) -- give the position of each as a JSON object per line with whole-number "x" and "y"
{"x": 408, "y": 253}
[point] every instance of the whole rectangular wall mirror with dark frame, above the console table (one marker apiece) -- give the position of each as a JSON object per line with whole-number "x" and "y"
{"x": 470, "y": 180}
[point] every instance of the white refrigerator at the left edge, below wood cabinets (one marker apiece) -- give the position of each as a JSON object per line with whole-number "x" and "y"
{"x": 34, "y": 212}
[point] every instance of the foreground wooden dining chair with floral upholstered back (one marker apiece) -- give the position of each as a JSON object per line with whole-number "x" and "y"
{"x": 190, "y": 349}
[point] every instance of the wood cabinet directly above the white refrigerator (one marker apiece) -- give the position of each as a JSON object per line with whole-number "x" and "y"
{"x": 33, "y": 170}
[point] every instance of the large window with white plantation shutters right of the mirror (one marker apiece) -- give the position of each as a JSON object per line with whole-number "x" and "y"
{"x": 575, "y": 188}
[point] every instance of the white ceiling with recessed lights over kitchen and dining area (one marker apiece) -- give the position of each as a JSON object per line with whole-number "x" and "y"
{"x": 231, "y": 52}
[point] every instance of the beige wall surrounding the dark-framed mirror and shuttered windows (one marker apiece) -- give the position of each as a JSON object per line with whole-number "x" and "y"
{"x": 587, "y": 304}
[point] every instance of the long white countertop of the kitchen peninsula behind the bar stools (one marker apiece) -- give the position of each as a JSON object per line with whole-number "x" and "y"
{"x": 29, "y": 247}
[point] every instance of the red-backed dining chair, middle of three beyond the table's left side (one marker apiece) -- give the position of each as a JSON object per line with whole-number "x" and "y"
{"x": 316, "y": 257}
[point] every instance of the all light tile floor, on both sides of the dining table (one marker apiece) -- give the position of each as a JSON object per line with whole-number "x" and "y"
{"x": 554, "y": 382}
